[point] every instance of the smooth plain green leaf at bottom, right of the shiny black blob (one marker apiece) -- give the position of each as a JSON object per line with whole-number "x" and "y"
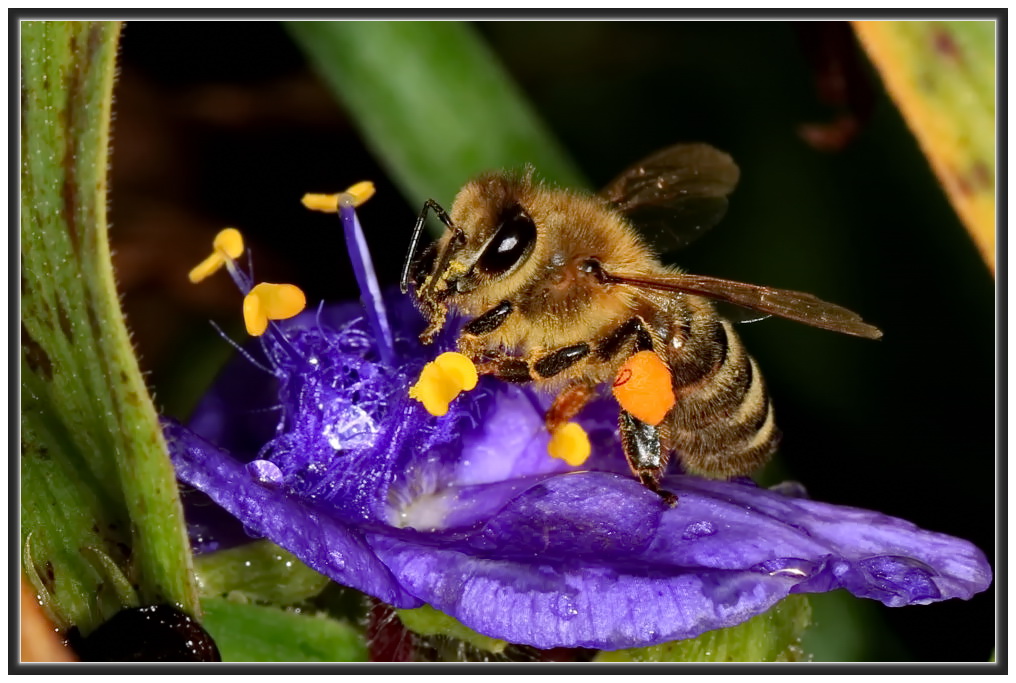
{"x": 258, "y": 634}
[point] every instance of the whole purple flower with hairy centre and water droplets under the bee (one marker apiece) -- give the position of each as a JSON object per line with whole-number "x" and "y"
{"x": 324, "y": 453}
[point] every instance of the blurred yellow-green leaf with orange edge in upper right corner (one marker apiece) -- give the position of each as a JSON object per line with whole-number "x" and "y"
{"x": 941, "y": 75}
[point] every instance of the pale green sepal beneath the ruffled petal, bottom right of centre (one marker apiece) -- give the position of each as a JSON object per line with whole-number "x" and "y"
{"x": 774, "y": 637}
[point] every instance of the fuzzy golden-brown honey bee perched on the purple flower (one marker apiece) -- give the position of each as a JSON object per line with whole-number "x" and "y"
{"x": 561, "y": 289}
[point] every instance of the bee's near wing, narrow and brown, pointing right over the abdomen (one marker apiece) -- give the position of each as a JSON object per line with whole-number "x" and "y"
{"x": 799, "y": 306}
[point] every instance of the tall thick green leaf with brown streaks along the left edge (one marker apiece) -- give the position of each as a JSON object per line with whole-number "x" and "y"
{"x": 100, "y": 509}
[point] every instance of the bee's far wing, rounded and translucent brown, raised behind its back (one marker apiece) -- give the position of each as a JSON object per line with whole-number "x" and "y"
{"x": 676, "y": 196}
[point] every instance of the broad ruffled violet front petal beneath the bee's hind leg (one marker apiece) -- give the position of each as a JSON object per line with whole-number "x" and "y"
{"x": 580, "y": 562}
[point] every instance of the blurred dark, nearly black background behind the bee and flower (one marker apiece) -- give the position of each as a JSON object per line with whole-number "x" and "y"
{"x": 224, "y": 125}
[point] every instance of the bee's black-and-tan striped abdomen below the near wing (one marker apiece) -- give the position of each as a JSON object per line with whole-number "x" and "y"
{"x": 723, "y": 423}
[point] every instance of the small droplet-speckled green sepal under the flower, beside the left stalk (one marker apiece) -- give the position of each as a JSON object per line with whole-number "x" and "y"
{"x": 261, "y": 572}
